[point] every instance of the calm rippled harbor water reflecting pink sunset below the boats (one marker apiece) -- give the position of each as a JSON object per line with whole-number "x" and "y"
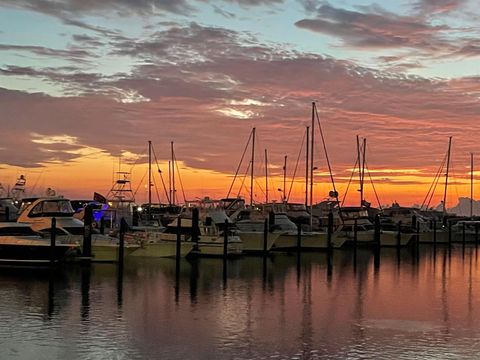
{"x": 401, "y": 307}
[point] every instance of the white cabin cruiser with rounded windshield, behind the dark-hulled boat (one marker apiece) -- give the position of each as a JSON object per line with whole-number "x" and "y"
{"x": 39, "y": 214}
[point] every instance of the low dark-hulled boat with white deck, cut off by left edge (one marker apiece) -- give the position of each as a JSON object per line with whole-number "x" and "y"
{"x": 19, "y": 244}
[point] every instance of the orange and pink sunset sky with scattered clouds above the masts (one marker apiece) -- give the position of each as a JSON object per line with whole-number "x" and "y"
{"x": 84, "y": 85}
